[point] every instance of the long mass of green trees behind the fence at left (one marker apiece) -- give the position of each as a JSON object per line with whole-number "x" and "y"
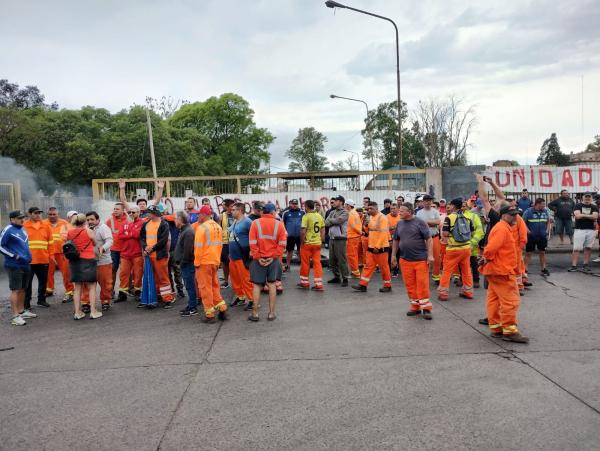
{"x": 71, "y": 147}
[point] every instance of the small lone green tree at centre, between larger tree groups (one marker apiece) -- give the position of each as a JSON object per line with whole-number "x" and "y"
{"x": 306, "y": 151}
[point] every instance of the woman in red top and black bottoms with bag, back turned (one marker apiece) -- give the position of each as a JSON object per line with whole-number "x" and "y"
{"x": 79, "y": 250}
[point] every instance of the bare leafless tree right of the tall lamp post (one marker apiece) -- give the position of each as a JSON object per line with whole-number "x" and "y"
{"x": 444, "y": 129}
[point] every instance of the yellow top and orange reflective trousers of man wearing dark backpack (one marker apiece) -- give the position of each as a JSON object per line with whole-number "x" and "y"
{"x": 458, "y": 257}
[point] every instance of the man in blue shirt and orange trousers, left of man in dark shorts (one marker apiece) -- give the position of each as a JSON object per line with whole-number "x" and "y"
{"x": 239, "y": 255}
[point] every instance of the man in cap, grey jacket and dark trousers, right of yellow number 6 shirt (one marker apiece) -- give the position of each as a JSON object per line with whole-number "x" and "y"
{"x": 337, "y": 221}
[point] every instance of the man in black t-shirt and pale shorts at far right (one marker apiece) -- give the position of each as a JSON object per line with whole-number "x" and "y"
{"x": 586, "y": 216}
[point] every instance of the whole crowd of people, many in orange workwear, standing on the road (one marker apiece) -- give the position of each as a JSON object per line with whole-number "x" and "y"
{"x": 156, "y": 255}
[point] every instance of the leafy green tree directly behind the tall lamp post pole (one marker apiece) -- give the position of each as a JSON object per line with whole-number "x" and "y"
{"x": 381, "y": 139}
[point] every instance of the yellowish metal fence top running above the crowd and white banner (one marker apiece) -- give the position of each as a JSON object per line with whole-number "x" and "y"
{"x": 289, "y": 182}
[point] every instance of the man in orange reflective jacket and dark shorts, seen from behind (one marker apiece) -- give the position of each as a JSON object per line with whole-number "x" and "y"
{"x": 267, "y": 240}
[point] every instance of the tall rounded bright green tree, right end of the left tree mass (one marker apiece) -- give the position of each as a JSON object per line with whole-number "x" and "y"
{"x": 236, "y": 144}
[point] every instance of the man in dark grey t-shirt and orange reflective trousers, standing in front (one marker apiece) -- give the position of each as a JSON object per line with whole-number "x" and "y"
{"x": 412, "y": 237}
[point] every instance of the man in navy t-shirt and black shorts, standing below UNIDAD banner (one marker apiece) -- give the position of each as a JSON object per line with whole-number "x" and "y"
{"x": 537, "y": 220}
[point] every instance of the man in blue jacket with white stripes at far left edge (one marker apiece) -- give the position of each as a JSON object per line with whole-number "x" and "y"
{"x": 14, "y": 245}
